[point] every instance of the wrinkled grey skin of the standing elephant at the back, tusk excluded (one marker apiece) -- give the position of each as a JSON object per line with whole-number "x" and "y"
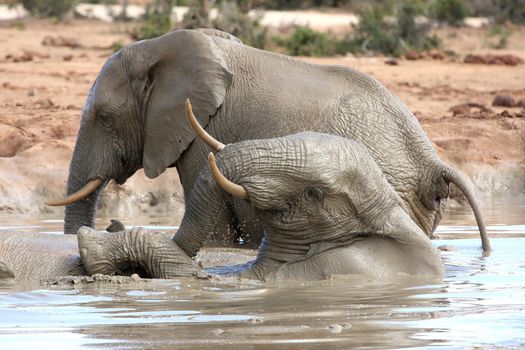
{"x": 134, "y": 118}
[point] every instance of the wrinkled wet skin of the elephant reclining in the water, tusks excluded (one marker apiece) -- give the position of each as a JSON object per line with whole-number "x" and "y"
{"x": 324, "y": 204}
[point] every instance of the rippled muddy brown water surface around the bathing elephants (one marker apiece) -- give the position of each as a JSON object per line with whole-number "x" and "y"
{"x": 480, "y": 303}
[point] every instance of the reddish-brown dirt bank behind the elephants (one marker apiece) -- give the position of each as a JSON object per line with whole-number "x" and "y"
{"x": 46, "y": 70}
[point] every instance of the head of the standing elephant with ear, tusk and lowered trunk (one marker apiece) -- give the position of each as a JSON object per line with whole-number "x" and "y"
{"x": 128, "y": 120}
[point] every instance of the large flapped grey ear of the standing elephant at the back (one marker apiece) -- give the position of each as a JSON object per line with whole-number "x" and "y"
{"x": 187, "y": 64}
